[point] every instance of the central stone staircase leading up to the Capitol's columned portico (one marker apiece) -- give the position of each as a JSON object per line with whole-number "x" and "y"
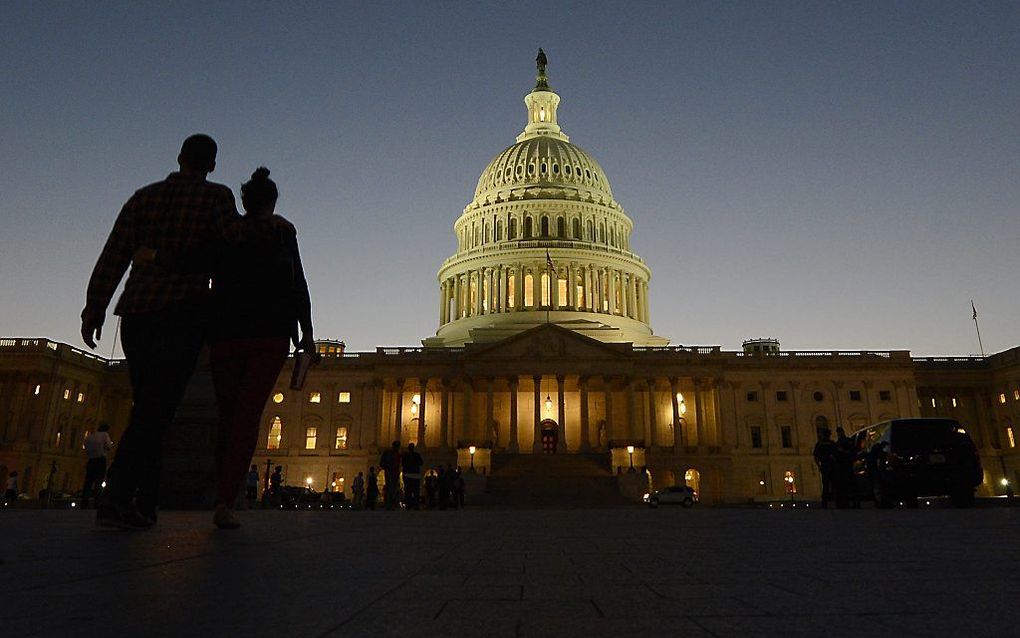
{"x": 553, "y": 481}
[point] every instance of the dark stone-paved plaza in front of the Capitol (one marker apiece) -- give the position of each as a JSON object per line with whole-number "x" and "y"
{"x": 486, "y": 573}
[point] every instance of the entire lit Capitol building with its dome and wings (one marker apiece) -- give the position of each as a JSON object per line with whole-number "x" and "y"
{"x": 545, "y": 363}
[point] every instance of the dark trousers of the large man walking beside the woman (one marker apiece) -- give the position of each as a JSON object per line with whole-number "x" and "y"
{"x": 163, "y": 350}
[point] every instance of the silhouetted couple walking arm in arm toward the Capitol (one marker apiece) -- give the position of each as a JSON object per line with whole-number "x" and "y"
{"x": 199, "y": 274}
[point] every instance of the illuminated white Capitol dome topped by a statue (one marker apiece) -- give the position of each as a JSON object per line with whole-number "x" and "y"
{"x": 543, "y": 241}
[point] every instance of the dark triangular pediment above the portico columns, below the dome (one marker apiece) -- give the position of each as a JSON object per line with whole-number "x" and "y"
{"x": 548, "y": 342}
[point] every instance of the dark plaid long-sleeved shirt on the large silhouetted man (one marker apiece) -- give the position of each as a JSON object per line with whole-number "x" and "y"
{"x": 178, "y": 215}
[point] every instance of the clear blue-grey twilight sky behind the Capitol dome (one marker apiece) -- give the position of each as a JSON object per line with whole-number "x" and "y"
{"x": 835, "y": 175}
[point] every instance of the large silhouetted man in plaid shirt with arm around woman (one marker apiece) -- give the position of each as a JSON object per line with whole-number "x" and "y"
{"x": 165, "y": 317}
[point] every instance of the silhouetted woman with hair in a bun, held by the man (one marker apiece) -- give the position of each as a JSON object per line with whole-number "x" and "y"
{"x": 261, "y": 300}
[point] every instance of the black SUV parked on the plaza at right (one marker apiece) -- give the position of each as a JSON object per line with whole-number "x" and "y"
{"x": 901, "y": 460}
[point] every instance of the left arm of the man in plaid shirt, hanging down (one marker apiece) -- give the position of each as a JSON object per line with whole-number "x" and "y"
{"x": 107, "y": 276}
